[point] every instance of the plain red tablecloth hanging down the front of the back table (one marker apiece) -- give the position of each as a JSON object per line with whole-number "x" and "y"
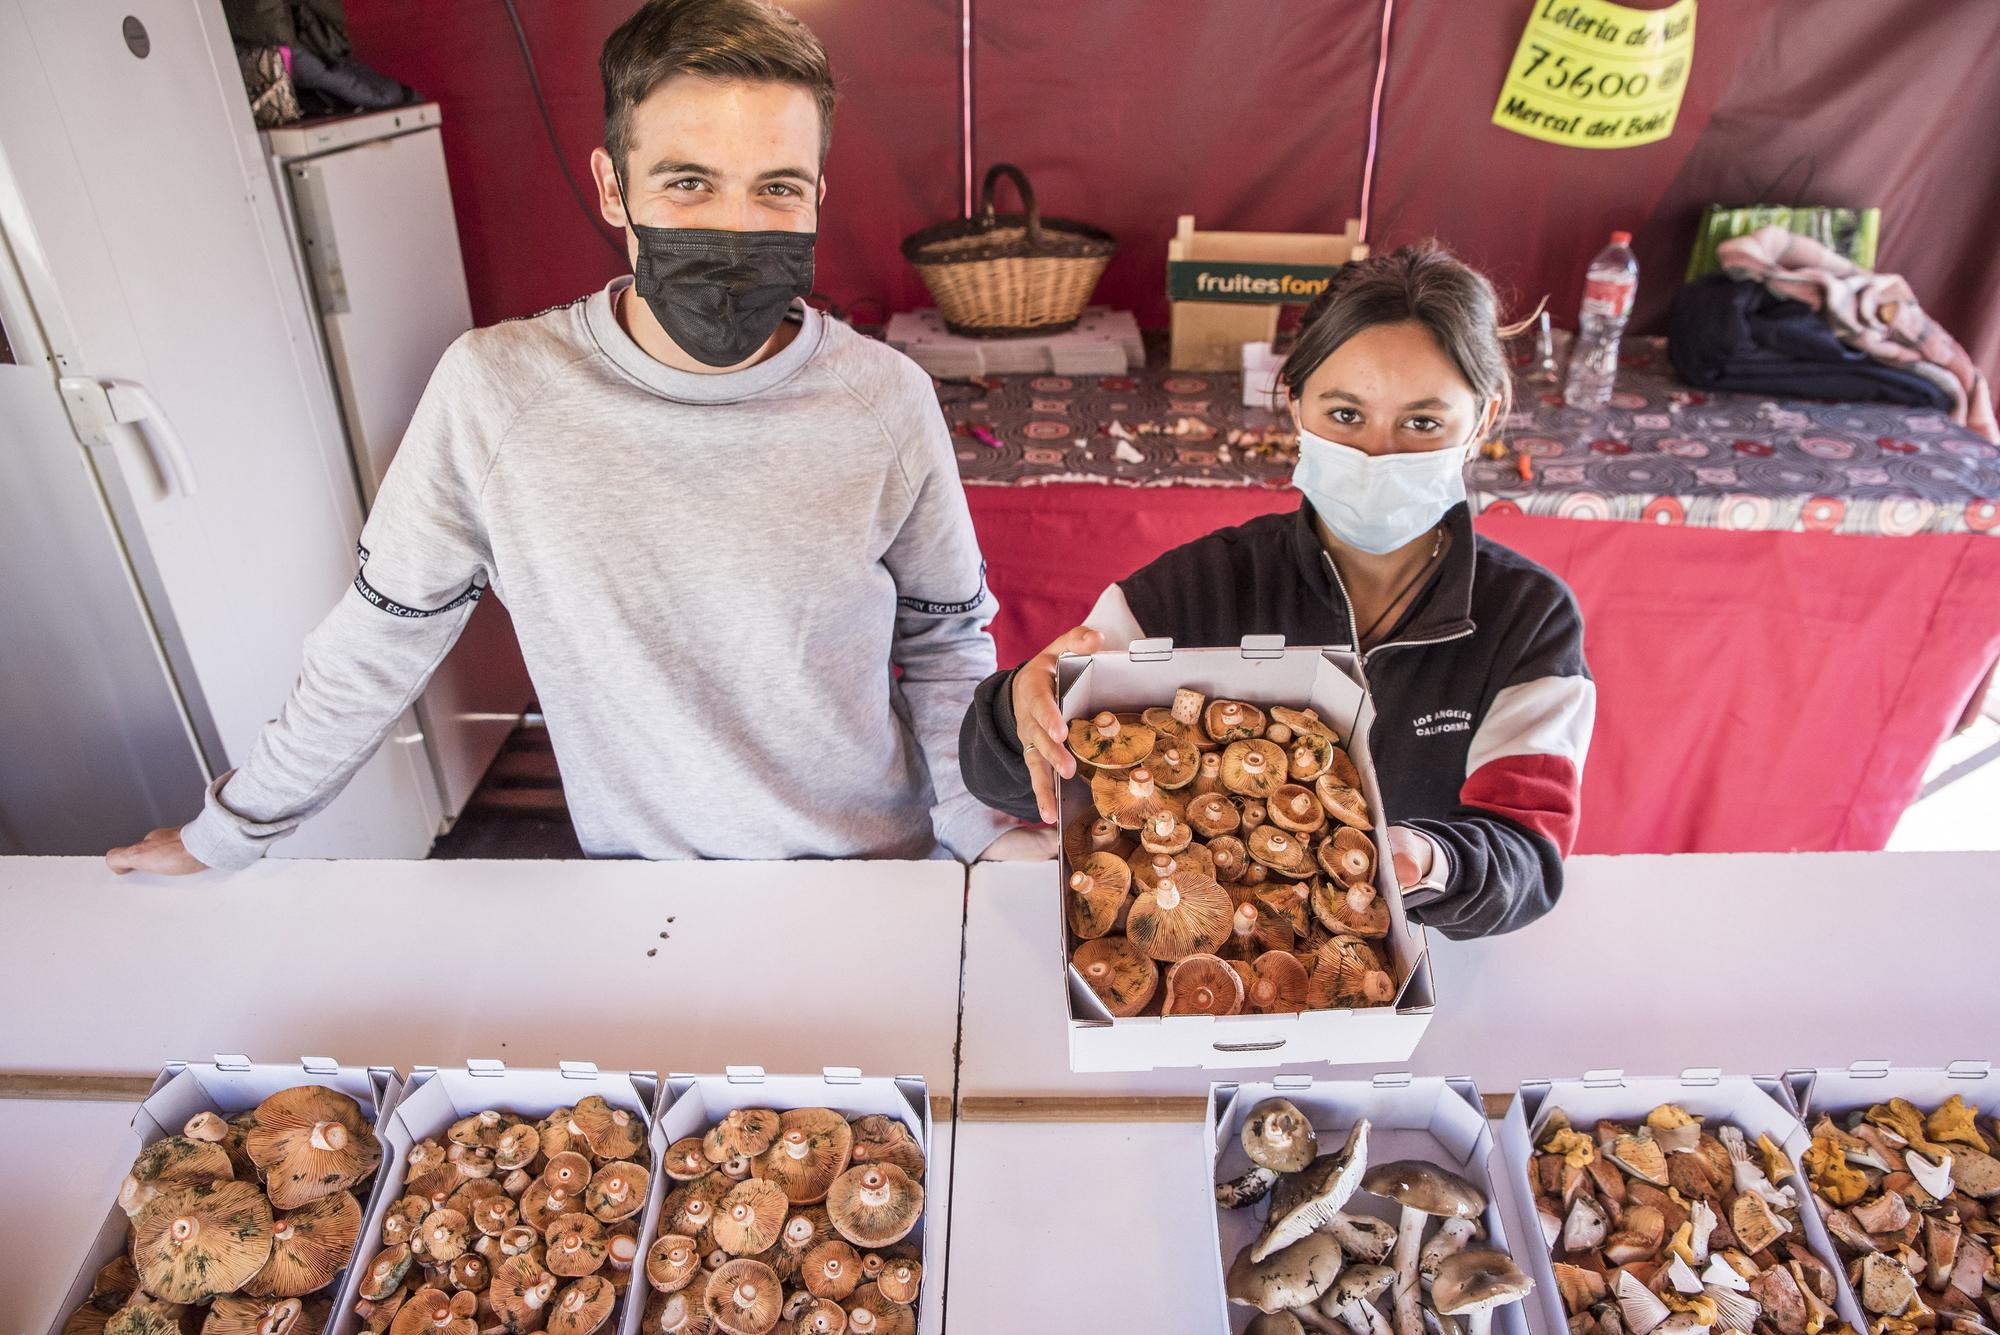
{"x": 1757, "y": 690}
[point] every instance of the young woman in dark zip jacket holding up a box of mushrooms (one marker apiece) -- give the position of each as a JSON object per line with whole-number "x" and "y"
{"x": 1473, "y": 653}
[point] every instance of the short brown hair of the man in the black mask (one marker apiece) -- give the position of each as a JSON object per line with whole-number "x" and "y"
{"x": 715, "y": 39}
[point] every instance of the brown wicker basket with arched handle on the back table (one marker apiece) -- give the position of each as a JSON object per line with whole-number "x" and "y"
{"x": 1011, "y": 275}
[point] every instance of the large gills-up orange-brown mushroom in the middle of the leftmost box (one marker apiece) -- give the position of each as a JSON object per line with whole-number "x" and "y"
{"x": 201, "y": 1240}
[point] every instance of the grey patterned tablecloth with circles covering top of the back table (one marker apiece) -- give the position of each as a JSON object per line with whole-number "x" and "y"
{"x": 1661, "y": 453}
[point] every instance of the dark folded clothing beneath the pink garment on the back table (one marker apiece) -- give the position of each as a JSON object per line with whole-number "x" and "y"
{"x": 1739, "y": 337}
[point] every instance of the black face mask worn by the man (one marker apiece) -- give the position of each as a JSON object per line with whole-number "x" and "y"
{"x": 721, "y": 295}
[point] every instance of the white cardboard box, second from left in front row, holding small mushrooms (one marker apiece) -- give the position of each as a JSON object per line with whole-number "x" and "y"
{"x": 435, "y": 1098}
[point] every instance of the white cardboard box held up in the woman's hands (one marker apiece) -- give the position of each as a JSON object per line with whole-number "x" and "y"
{"x": 1261, "y": 672}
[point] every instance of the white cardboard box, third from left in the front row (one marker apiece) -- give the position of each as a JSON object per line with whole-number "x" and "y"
{"x": 691, "y": 1104}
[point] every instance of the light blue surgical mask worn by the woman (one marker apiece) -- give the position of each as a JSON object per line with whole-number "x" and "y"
{"x": 1379, "y": 503}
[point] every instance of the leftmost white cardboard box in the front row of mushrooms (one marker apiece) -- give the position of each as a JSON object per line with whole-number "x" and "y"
{"x": 231, "y": 1086}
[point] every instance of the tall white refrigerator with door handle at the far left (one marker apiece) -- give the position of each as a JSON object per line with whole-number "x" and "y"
{"x": 179, "y": 503}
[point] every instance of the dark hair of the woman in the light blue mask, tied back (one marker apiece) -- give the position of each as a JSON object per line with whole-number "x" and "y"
{"x": 1419, "y": 285}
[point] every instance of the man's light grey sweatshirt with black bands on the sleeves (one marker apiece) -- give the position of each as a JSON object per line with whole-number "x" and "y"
{"x": 711, "y": 577}
